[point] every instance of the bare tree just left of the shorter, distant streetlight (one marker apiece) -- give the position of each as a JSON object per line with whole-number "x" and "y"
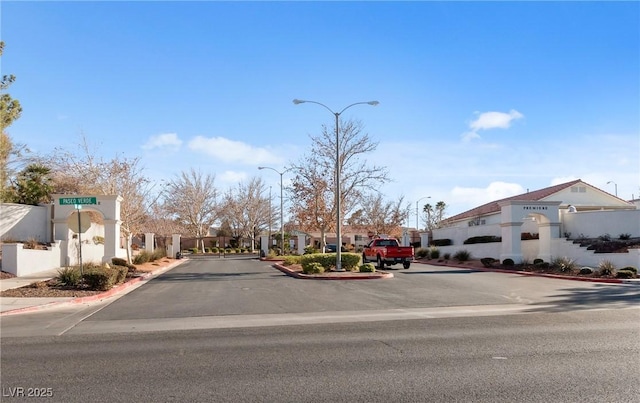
{"x": 246, "y": 210}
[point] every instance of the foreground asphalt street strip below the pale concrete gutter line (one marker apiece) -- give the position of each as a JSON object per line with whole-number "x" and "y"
{"x": 589, "y": 356}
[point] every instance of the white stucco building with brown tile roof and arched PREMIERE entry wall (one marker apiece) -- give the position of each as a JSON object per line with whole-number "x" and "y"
{"x": 548, "y": 217}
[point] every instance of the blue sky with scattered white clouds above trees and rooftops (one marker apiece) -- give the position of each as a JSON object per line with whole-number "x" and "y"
{"x": 478, "y": 100}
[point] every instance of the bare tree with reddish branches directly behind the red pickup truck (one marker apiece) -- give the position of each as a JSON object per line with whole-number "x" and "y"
{"x": 379, "y": 216}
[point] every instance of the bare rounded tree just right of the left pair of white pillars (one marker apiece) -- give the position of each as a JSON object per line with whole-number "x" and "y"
{"x": 191, "y": 198}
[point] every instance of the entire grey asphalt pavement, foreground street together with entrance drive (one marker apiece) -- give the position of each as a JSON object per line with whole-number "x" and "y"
{"x": 240, "y": 331}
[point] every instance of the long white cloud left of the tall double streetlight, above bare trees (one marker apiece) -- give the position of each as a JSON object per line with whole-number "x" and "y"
{"x": 232, "y": 151}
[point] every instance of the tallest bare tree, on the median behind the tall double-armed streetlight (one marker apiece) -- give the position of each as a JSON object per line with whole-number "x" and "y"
{"x": 313, "y": 188}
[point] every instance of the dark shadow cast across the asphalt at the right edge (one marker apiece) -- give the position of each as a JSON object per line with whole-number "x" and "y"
{"x": 588, "y": 298}
